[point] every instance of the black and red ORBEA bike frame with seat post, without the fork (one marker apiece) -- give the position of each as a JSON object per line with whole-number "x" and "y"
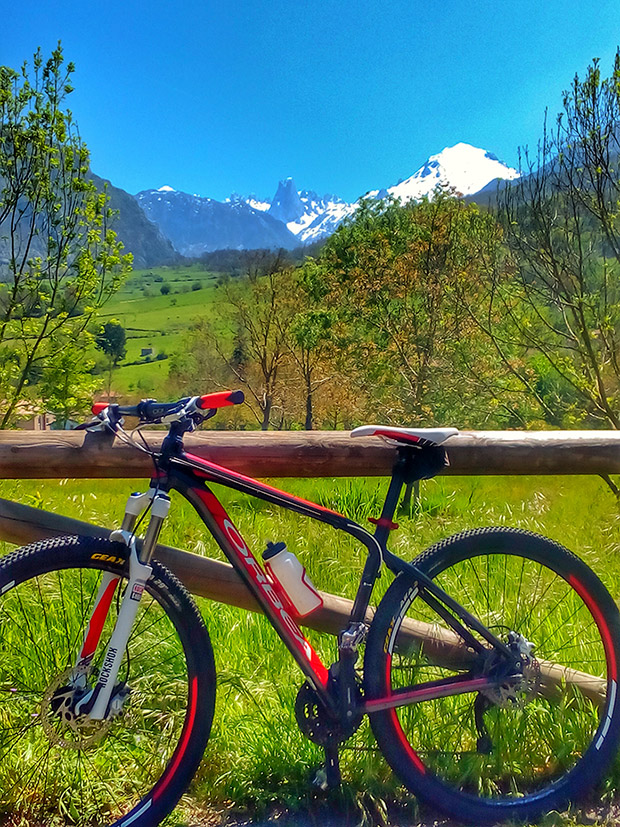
{"x": 191, "y": 475}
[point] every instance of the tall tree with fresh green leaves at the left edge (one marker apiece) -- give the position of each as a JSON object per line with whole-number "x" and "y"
{"x": 59, "y": 259}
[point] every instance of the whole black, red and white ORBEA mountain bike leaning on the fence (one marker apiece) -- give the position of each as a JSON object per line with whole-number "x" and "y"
{"x": 489, "y": 667}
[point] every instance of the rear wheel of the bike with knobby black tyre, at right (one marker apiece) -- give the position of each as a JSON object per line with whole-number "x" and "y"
{"x": 534, "y": 753}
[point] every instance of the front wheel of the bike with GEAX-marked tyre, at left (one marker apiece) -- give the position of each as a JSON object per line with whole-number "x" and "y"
{"x": 132, "y": 770}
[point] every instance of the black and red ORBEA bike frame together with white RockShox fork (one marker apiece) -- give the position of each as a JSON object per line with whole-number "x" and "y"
{"x": 190, "y": 475}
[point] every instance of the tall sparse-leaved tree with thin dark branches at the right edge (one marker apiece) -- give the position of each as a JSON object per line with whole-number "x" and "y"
{"x": 560, "y": 301}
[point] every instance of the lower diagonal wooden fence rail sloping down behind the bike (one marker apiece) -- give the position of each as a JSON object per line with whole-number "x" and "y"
{"x": 218, "y": 581}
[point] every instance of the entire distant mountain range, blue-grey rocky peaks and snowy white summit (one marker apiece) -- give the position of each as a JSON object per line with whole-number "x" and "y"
{"x": 190, "y": 225}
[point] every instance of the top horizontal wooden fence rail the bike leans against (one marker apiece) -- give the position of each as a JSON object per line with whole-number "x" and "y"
{"x": 62, "y": 454}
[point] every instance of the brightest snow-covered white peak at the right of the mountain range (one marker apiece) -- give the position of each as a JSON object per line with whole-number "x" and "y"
{"x": 464, "y": 168}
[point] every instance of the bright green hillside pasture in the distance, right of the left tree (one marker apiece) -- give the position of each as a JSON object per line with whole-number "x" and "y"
{"x": 157, "y": 321}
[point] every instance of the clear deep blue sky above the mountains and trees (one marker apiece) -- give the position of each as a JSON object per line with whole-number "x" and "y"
{"x": 344, "y": 95}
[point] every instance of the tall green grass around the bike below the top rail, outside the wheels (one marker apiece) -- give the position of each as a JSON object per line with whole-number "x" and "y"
{"x": 256, "y": 758}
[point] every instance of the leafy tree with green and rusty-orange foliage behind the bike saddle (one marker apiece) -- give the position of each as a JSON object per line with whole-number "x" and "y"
{"x": 393, "y": 279}
